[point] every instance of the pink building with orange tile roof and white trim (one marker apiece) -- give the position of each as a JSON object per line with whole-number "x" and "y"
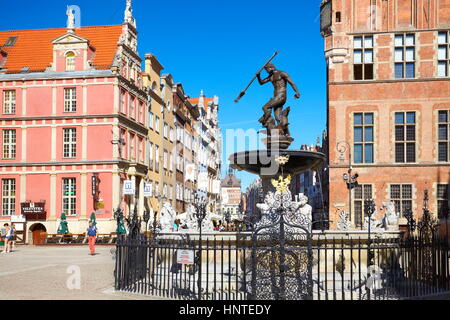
{"x": 73, "y": 126}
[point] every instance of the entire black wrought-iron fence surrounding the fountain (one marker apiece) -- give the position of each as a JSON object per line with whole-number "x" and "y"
{"x": 342, "y": 267}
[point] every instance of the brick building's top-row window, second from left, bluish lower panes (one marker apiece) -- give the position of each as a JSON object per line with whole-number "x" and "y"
{"x": 405, "y": 56}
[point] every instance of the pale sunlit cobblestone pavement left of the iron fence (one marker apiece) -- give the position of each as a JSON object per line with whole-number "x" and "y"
{"x": 49, "y": 273}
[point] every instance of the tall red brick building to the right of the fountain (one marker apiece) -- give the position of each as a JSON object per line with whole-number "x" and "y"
{"x": 388, "y": 102}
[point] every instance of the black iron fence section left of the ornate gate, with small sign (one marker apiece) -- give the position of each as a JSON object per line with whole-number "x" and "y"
{"x": 213, "y": 269}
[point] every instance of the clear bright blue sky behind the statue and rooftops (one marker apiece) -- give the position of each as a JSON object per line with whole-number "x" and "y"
{"x": 216, "y": 46}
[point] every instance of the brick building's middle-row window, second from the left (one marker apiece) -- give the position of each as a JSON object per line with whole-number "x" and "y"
{"x": 405, "y": 137}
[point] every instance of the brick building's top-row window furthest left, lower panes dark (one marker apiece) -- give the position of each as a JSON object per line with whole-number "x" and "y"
{"x": 363, "y": 58}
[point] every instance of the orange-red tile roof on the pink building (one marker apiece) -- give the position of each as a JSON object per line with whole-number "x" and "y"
{"x": 34, "y": 48}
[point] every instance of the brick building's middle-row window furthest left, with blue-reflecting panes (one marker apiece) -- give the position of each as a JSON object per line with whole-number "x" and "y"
{"x": 363, "y": 136}
